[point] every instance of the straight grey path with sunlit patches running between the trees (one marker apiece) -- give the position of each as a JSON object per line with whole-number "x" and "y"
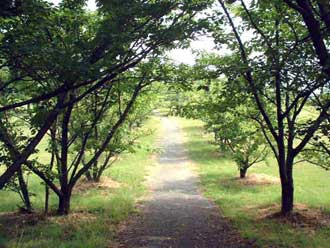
{"x": 176, "y": 214}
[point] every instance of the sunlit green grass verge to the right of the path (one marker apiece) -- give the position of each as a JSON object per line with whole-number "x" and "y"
{"x": 244, "y": 204}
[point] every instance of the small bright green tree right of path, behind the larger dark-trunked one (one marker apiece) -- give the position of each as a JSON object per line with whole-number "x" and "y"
{"x": 226, "y": 112}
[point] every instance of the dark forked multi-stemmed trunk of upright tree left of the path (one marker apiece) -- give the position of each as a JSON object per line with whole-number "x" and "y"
{"x": 69, "y": 172}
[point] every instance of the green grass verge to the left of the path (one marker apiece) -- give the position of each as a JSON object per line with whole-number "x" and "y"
{"x": 96, "y": 212}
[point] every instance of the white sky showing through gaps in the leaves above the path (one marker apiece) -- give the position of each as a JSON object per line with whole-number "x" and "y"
{"x": 178, "y": 55}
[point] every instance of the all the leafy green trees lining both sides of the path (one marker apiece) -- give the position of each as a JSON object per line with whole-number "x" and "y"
{"x": 75, "y": 76}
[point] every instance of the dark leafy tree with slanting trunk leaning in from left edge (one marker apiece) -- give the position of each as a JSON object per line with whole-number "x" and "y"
{"x": 58, "y": 56}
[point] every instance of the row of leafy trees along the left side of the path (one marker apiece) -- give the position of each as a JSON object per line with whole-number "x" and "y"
{"x": 74, "y": 78}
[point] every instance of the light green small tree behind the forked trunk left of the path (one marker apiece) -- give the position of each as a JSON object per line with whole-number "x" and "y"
{"x": 125, "y": 137}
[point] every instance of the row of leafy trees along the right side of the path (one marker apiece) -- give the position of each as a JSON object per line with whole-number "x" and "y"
{"x": 269, "y": 91}
